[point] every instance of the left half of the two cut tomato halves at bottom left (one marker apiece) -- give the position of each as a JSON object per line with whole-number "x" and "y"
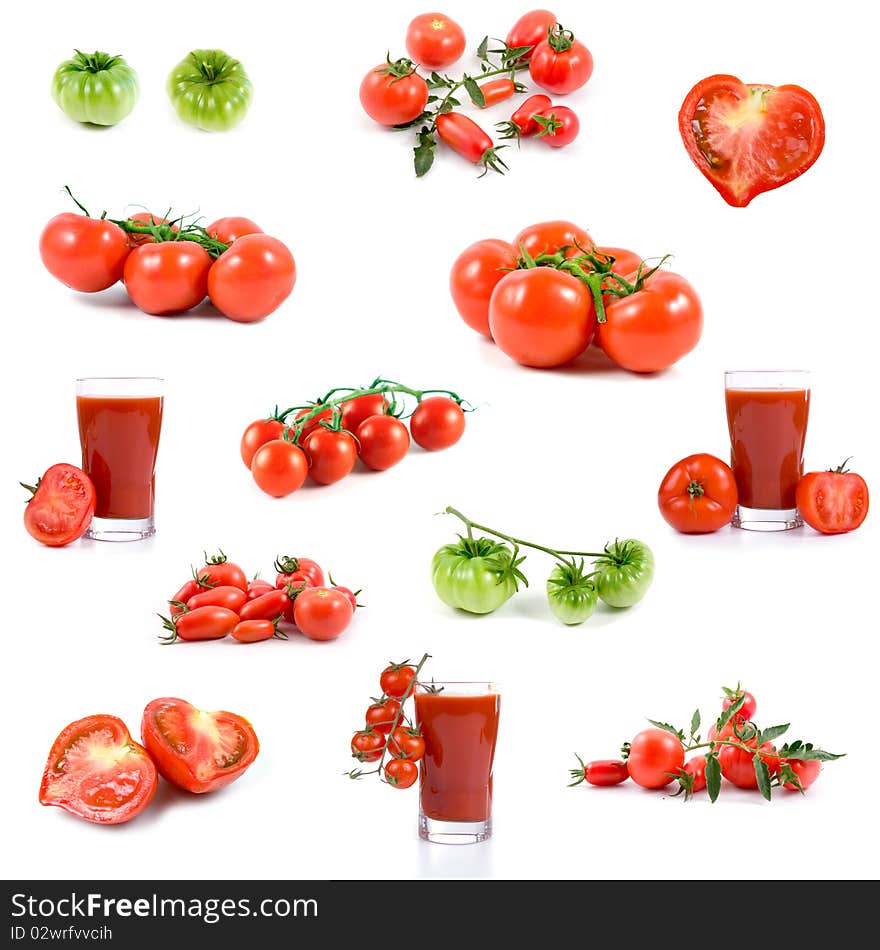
{"x": 96, "y": 771}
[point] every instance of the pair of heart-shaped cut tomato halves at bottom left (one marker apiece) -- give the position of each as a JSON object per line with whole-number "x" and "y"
{"x": 97, "y": 772}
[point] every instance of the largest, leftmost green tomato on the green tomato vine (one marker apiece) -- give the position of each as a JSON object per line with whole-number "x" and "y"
{"x": 476, "y": 574}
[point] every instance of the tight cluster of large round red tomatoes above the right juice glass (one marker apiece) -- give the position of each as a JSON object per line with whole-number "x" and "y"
{"x": 551, "y": 292}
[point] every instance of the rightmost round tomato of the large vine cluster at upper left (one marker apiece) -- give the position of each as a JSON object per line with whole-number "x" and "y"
{"x": 252, "y": 279}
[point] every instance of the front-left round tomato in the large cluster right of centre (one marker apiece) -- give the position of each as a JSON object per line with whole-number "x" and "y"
{"x": 542, "y": 317}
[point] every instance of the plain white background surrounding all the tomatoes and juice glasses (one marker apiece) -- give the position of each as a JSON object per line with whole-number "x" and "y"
{"x": 571, "y": 457}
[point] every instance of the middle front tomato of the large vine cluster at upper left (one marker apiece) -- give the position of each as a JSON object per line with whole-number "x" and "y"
{"x": 167, "y": 278}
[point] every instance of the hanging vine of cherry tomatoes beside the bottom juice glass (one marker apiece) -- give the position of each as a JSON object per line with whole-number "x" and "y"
{"x": 387, "y": 731}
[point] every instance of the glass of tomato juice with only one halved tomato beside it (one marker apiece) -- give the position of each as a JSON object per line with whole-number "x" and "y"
{"x": 120, "y": 419}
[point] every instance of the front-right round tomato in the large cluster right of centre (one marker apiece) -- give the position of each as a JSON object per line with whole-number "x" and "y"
{"x": 655, "y": 327}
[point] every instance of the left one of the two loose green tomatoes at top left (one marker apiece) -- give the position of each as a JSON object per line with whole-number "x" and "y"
{"x": 95, "y": 88}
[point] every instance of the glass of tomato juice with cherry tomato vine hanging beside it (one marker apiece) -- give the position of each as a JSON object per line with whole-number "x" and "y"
{"x": 459, "y": 722}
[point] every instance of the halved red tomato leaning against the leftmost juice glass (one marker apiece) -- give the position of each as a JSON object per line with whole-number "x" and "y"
{"x": 61, "y": 505}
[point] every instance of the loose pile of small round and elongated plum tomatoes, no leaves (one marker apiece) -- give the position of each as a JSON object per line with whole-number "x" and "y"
{"x": 220, "y": 601}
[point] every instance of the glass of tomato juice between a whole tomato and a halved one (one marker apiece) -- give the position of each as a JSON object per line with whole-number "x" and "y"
{"x": 767, "y": 412}
